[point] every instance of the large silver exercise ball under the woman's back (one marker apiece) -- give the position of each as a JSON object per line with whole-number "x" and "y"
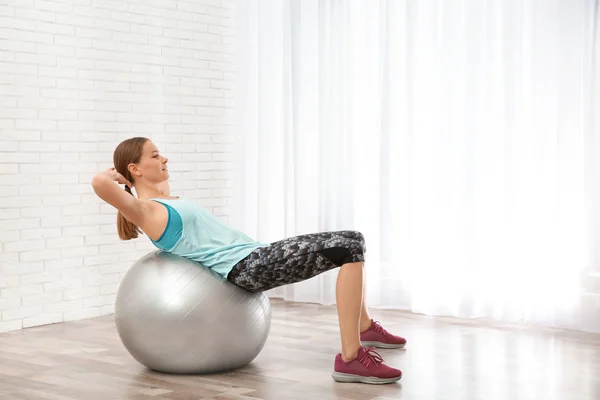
{"x": 174, "y": 315}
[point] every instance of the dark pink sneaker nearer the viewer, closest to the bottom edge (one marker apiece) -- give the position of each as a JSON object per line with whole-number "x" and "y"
{"x": 367, "y": 367}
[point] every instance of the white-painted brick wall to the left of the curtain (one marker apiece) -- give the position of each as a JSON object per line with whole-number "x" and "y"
{"x": 76, "y": 78}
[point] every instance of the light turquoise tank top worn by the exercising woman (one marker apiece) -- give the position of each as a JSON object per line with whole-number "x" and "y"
{"x": 194, "y": 233}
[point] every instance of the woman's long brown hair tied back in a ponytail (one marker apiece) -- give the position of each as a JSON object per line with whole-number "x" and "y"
{"x": 127, "y": 152}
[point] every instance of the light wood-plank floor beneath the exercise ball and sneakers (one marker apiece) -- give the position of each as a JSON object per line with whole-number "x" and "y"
{"x": 444, "y": 359}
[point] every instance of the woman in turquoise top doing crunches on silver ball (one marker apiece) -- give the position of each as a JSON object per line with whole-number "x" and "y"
{"x": 184, "y": 228}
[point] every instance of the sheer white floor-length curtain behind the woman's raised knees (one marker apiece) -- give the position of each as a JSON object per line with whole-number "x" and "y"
{"x": 457, "y": 136}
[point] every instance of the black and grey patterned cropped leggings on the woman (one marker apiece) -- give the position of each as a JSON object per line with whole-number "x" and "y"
{"x": 296, "y": 259}
